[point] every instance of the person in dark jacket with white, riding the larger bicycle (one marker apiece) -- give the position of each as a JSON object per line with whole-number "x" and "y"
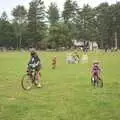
{"x": 34, "y": 64}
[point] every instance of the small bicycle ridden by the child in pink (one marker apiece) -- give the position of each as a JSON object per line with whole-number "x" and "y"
{"x": 96, "y": 81}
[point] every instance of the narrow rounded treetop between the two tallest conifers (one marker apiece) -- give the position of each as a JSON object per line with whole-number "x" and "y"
{"x": 53, "y": 14}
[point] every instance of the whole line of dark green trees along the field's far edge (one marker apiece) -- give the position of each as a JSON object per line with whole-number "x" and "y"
{"x": 49, "y": 28}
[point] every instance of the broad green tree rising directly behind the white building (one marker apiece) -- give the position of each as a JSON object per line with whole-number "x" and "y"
{"x": 85, "y": 23}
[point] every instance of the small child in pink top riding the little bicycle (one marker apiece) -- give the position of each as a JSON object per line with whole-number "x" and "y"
{"x": 96, "y": 70}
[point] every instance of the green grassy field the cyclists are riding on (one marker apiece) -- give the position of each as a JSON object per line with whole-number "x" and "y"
{"x": 66, "y": 93}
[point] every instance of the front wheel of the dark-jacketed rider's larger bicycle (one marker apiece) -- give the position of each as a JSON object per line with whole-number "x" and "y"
{"x": 26, "y": 82}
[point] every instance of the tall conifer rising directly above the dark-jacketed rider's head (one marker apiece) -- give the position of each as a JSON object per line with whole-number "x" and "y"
{"x": 36, "y": 25}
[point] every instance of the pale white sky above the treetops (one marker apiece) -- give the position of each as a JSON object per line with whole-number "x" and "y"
{"x": 8, "y": 5}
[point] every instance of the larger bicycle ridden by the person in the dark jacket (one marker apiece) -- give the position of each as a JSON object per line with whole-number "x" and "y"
{"x": 28, "y": 80}
